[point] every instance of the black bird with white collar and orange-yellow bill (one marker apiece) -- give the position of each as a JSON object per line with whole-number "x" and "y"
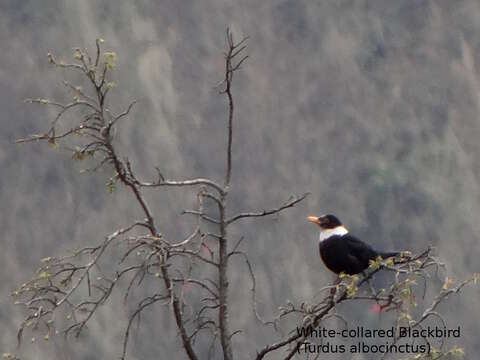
{"x": 342, "y": 252}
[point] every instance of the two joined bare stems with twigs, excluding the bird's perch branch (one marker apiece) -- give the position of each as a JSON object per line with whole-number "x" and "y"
{"x": 146, "y": 253}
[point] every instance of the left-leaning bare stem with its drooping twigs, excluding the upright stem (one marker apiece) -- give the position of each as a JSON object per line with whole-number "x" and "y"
{"x": 98, "y": 127}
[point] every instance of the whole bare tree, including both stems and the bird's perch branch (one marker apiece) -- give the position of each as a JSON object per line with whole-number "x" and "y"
{"x": 54, "y": 299}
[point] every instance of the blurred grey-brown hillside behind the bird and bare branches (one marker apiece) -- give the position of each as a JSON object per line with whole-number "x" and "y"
{"x": 372, "y": 106}
